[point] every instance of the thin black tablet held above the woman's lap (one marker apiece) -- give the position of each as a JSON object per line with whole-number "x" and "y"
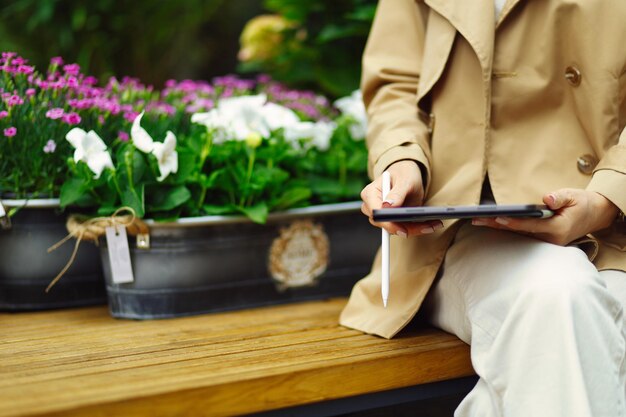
{"x": 424, "y": 213}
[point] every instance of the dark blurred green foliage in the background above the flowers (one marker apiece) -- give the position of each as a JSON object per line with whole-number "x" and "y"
{"x": 156, "y": 40}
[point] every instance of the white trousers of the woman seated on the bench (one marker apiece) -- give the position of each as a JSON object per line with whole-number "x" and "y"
{"x": 546, "y": 329}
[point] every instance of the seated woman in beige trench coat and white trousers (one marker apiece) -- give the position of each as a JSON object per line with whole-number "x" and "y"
{"x": 527, "y": 107}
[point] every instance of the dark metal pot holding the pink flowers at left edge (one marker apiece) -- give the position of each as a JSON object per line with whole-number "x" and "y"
{"x": 26, "y": 268}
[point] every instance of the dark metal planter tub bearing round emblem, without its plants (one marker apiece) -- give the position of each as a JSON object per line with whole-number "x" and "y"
{"x": 215, "y": 263}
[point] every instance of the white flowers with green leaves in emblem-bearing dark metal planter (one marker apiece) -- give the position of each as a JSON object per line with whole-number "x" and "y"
{"x": 243, "y": 186}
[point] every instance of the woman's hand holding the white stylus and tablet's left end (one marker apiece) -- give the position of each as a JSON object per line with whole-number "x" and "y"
{"x": 407, "y": 189}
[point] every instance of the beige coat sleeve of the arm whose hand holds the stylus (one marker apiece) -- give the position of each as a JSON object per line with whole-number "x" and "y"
{"x": 391, "y": 71}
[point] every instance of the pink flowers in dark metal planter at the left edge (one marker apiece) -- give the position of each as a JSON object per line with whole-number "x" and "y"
{"x": 34, "y": 117}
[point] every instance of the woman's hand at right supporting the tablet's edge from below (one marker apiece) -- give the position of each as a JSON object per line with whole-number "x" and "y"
{"x": 577, "y": 213}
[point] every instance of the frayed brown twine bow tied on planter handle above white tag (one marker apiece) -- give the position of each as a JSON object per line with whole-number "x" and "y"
{"x": 86, "y": 228}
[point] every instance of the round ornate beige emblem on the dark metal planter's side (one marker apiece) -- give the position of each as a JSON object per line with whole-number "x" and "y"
{"x": 299, "y": 255}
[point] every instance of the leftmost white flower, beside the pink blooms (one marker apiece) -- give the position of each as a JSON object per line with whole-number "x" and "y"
{"x": 90, "y": 149}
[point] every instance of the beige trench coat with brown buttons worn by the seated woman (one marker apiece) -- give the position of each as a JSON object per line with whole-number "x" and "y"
{"x": 537, "y": 100}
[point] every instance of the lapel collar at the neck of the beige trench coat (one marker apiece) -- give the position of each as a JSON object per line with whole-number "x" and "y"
{"x": 475, "y": 21}
